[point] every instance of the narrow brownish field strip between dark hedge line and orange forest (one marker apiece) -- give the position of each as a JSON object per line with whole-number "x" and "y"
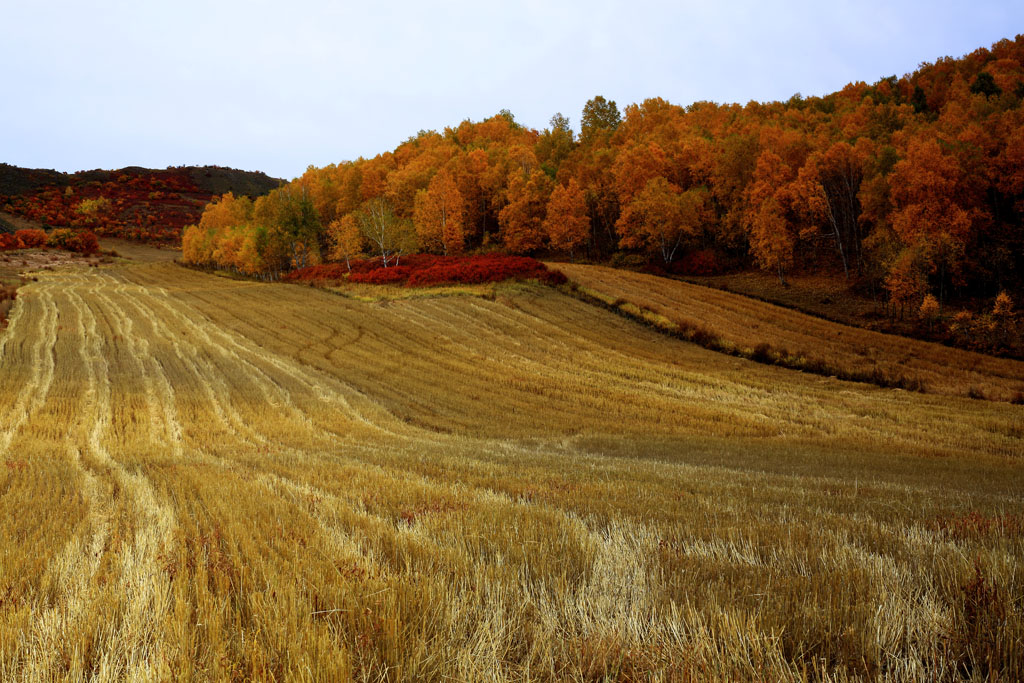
{"x": 771, "y": 334}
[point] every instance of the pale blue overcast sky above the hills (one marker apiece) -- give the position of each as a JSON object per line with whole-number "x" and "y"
{"x": 279, "y": 87}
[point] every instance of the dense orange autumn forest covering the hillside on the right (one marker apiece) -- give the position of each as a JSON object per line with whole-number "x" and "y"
{"x": 910, "y": 187}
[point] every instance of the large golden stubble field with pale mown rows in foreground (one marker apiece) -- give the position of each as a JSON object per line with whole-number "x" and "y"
{"x": 205, "y": 479}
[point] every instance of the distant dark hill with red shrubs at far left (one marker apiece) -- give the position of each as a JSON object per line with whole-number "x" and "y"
{"x": 135, "y": 203}
